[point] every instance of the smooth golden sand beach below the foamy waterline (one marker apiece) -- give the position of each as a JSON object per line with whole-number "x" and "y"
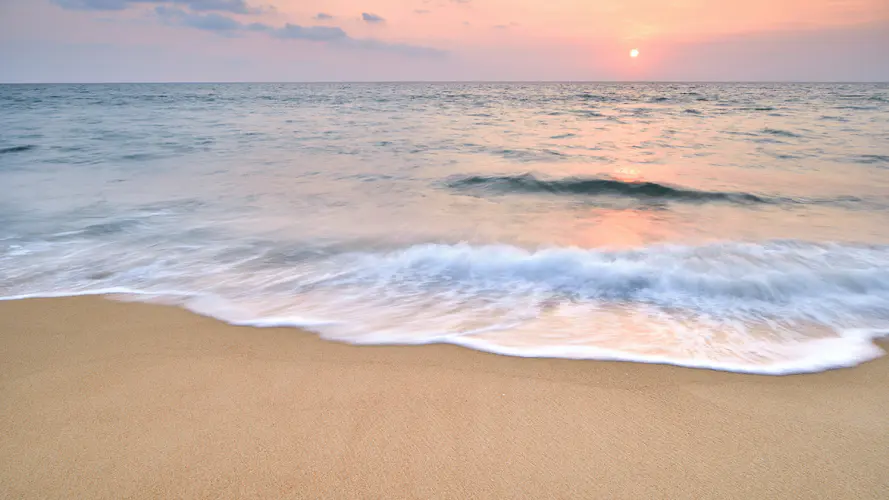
{"x": 100, "y": 399}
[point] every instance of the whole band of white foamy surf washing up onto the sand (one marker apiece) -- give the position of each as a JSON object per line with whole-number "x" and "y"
{"x": 773, "y": 308}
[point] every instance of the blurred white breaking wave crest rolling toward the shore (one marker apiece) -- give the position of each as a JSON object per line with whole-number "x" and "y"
{"x": 778, "y": 272}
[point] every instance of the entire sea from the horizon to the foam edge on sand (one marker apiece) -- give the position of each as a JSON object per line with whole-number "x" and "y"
{"x": 739, "y": 227}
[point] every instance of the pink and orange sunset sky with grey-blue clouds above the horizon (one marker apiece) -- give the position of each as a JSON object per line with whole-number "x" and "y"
{"x": 443, "y": 40}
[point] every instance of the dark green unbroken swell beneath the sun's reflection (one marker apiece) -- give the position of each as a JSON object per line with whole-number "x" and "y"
{"x": 529, "y": 183}
